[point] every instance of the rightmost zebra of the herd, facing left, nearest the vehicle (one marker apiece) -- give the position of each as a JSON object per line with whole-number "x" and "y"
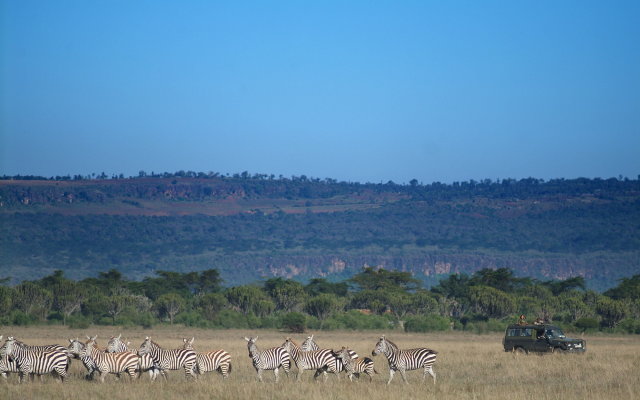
{"x": 406, "y": 360}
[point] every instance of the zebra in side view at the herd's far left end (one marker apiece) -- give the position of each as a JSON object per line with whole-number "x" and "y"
{"x": 39, "y": 362}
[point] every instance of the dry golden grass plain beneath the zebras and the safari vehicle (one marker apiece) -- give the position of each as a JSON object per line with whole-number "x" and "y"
{"x": 468, "y": 367}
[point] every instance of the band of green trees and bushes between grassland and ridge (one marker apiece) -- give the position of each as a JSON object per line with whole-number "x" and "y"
{"x": 371, "y": 299}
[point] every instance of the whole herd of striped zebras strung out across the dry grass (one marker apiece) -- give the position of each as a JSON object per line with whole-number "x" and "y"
{"x": 118, "y": 358}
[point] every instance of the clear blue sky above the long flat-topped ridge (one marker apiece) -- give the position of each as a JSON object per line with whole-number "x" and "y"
{"x": 365, "y": 91}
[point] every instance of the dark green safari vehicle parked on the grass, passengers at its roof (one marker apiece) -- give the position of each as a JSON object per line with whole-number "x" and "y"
{"x": 544, "y": 338}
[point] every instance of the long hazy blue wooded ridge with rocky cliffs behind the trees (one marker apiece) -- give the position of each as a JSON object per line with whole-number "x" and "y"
{"x": 255, "y": 226}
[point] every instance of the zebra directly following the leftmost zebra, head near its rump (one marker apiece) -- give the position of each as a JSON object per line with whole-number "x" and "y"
{"x": 105, "y": 363}
